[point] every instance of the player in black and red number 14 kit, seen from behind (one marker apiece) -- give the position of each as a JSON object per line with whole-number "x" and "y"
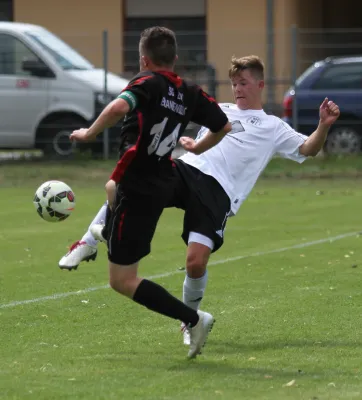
{"x": 157, "y": 106}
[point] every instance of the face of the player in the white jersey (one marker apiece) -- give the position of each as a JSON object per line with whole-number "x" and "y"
{"x": 247, "y": 90}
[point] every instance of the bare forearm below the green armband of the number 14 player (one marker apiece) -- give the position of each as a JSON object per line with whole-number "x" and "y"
{"x": 114, "y": 112}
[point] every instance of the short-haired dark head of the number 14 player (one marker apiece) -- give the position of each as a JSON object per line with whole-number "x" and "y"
{"x": 159, "y": 44}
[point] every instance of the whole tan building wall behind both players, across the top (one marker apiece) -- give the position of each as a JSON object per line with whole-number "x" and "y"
{"x": 235, "y": 27}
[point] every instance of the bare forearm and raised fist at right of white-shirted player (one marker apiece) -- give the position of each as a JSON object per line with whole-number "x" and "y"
{"x": 328, "y": 115}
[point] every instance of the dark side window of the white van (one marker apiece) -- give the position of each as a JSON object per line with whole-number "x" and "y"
{"x": 12, "y": 54}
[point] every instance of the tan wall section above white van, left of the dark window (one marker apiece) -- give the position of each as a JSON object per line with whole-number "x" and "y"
{"x": 80, "y": 23}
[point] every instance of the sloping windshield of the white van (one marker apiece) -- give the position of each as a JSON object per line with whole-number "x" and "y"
{"x": 62, "y": 53}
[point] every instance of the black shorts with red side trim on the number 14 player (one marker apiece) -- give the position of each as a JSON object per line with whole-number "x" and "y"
{"x": 133, "y": 224}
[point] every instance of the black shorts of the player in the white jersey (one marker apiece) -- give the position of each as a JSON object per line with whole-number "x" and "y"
{"x": 206, "y": 204}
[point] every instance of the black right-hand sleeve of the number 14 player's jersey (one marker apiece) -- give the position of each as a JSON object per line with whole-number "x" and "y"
{"x": 207, "y": 112}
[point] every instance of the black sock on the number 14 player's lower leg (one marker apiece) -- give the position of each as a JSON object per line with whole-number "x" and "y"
{"x": 158, "y": 299}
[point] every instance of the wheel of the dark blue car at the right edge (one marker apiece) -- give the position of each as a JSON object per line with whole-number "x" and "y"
{"x": 343, "y": 140}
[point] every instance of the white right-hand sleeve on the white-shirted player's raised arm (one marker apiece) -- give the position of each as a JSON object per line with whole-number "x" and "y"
{"x": 288, "y": 141}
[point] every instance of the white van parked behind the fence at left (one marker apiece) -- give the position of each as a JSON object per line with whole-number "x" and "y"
{"x": 47, "y": 89}
